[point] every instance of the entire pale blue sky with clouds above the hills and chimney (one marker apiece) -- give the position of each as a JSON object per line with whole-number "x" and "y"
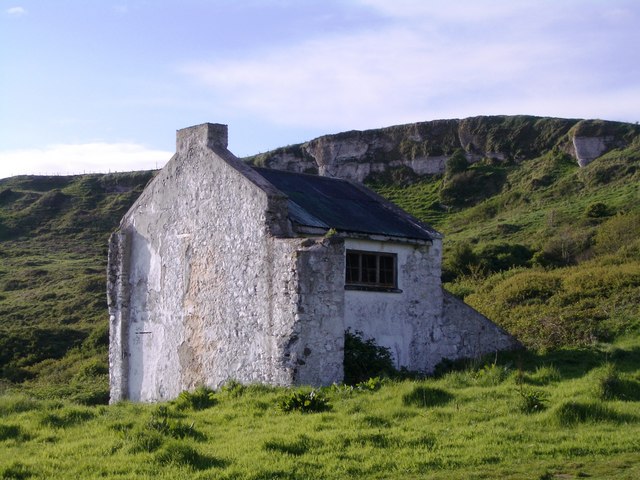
{"x": 102, "y": 86}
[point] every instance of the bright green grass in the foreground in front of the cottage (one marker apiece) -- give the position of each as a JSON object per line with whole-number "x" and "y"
{"x": 465, "y": 424}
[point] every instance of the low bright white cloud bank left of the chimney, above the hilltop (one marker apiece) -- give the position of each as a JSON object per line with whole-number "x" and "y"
{"x": 69, "y": 159}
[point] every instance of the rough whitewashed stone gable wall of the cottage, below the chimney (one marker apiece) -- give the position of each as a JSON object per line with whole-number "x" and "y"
{"x": 207, "y": 285}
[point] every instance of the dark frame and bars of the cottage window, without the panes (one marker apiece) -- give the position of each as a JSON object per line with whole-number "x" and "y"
{"x": 362, "y": 271}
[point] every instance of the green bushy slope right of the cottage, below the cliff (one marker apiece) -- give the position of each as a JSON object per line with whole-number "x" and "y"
{"x": 552, "y": 253}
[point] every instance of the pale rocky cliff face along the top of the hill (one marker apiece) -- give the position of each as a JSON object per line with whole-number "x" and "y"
{"x": 423, "y": 148}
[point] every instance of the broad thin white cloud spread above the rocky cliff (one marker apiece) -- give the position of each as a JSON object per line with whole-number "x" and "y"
{"x": 433, "y": 59}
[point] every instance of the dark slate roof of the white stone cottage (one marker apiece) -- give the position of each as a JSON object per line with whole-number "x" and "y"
{"x": 323, "y": 202}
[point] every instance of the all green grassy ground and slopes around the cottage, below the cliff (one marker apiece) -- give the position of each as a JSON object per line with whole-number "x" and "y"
{"x": 549, "y": 250}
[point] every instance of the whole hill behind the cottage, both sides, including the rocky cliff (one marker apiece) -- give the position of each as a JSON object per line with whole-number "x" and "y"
{"x": 541, "y": 245}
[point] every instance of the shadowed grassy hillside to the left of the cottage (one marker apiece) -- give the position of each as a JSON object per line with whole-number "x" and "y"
{"x": 53, "y": 318}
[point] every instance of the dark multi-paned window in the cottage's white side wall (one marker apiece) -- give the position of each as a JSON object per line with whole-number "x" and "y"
{"x": 371, "y": 271}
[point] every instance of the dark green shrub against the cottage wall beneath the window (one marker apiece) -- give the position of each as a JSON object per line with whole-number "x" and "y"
{"x": 364, "y": 359}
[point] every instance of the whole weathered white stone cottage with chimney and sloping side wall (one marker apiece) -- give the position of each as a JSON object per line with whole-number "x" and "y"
{"x": 224, "y": 271}
